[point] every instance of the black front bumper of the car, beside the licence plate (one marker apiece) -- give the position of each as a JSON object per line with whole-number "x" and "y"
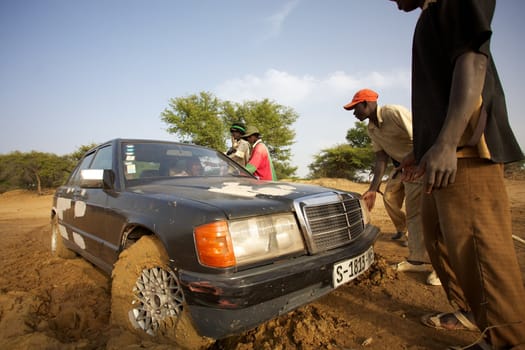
{"x": 224, "y": 305}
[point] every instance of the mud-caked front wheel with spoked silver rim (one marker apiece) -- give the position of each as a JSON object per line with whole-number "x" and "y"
{"x": 147, "y": 299}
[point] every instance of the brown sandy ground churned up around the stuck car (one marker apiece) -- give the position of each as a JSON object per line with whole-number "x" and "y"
{"x": 52, "y": 303}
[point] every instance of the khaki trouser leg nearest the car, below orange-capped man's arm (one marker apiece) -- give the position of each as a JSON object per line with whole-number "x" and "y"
{"x": 393, "y": 199}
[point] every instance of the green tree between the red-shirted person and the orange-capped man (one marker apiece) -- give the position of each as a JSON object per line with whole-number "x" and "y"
{"x": 347, "y": 161}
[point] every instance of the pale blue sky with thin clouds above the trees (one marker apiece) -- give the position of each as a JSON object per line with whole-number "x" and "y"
{"x": 75, "y": 72}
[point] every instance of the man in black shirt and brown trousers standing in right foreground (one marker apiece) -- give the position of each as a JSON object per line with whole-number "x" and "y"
{"x": 462, "y": 138}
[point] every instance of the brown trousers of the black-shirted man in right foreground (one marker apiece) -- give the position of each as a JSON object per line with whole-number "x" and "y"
{"x": 468, "y": 235}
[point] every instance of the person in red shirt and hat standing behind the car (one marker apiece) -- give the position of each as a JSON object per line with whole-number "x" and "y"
{"x": 260, "y": 163}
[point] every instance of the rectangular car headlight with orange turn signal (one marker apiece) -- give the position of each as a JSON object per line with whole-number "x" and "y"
{"x": 240, "y": 242}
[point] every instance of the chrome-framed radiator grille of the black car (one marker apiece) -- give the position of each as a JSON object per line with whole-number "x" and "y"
{"x": 331, "y": 221}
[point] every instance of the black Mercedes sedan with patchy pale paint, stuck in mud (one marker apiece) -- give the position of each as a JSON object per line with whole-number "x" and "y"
{"x": 200, "y": 257}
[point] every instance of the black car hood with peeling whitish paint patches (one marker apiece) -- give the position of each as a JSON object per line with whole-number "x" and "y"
{"x": 241, "y": 196}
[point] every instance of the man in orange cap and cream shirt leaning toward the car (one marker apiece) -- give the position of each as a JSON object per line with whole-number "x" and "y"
{"x": 390, "y": 128}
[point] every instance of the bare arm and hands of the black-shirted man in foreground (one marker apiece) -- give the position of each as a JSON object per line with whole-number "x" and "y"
{"x": 438, "y": 165}
